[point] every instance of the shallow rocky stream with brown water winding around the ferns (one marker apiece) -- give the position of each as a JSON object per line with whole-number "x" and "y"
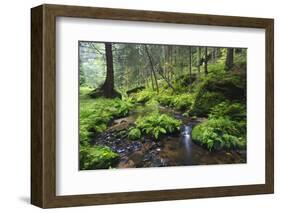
{"x": 172, "y": 150}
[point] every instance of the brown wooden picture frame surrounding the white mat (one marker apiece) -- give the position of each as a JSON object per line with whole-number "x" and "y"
{"x": 43, "y": 106}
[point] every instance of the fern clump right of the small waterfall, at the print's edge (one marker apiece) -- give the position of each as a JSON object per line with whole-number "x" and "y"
{"x": 221, "y": 133}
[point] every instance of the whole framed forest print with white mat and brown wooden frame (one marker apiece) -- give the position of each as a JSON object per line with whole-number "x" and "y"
{"x": 135, "y": 106}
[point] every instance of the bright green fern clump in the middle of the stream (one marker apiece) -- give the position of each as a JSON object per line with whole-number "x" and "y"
{"x": 156, "y": 124}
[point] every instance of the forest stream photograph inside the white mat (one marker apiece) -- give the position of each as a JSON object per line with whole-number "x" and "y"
{"x": 151, "y": 105}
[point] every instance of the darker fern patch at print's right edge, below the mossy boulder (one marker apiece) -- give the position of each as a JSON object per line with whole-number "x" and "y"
{"x": 232, "y": 111}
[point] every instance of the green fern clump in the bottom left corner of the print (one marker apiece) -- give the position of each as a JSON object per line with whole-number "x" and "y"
{"x": 97, "y": 157}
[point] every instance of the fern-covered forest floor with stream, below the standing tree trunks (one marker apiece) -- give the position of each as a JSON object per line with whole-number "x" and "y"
{"x": 202, "y": 123}
